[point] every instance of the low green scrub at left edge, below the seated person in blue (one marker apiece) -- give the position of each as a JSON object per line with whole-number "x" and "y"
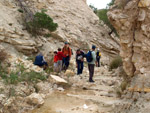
{"x": 21, "y": 75}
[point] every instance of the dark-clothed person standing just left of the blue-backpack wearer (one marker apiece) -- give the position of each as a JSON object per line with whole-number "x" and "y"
{"x": 79, "y": 61}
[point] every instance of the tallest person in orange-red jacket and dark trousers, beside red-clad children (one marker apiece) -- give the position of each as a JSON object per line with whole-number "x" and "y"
{"x": 67, "y": 55}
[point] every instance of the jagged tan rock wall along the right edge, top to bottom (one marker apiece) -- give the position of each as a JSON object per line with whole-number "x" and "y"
{"x": 131, "y": 19}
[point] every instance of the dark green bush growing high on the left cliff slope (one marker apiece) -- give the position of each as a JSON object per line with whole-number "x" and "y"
{"x": 41, "y": 21}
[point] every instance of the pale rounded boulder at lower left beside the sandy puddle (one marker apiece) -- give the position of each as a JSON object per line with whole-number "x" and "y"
{"x": 35, "y": 99}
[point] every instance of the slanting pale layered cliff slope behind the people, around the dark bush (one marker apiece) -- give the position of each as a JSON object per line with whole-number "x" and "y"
{"x": 77, "y": 25}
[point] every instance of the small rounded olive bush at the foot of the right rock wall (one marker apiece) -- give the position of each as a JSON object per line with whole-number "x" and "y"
{"x": 115, "y": 63}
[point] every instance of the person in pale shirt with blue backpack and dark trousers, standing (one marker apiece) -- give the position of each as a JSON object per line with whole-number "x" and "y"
{"x": 91, "y": 59}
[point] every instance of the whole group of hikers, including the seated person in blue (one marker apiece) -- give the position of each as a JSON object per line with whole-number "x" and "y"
{"x": 62, "y": 60}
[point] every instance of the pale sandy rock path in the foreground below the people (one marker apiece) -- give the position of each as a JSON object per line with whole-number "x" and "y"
{"x": 84, "y": 97}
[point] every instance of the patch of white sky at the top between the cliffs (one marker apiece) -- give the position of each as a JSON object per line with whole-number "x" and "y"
{"x": 100, "y": 4}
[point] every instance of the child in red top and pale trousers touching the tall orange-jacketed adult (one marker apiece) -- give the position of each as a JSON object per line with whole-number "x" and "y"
{"x": 60, "y": 58}
